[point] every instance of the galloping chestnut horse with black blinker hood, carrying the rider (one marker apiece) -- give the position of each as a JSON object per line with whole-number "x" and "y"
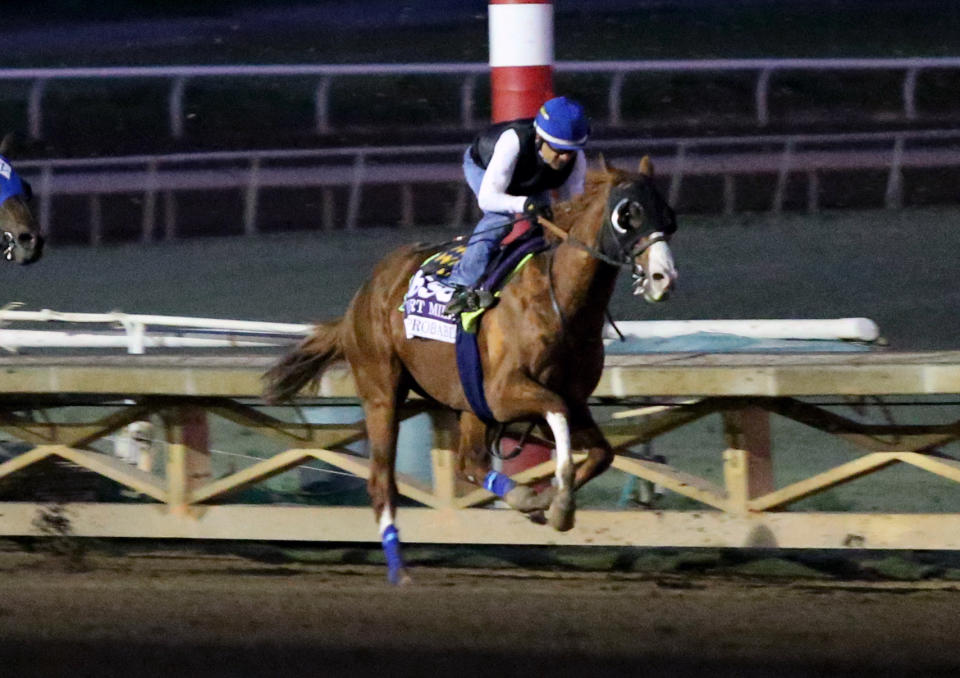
{"x": 540, "y": 347}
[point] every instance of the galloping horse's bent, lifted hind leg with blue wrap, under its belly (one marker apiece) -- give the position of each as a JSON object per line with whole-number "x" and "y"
{"x": 473, "y": 465}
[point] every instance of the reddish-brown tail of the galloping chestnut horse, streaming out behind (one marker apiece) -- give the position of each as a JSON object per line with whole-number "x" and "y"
{"x": 303, "y": 364}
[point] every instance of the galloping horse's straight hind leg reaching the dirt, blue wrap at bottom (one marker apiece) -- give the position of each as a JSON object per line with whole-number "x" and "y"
{"x": 382, "y": 429}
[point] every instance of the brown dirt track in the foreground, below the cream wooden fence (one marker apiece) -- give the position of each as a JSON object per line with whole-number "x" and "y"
{"x": 170, "y": 615}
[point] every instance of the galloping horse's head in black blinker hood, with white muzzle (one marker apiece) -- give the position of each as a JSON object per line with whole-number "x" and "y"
{"x": 638, "y": 225}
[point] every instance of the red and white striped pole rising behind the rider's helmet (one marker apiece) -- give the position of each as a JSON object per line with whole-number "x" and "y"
{"x": 521, "y": 57}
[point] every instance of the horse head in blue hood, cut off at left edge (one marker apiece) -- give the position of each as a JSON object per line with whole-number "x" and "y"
{"x": 20, "y": 237}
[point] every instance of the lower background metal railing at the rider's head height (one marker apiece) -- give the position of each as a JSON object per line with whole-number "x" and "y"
{"x": 249, "y": 173}
